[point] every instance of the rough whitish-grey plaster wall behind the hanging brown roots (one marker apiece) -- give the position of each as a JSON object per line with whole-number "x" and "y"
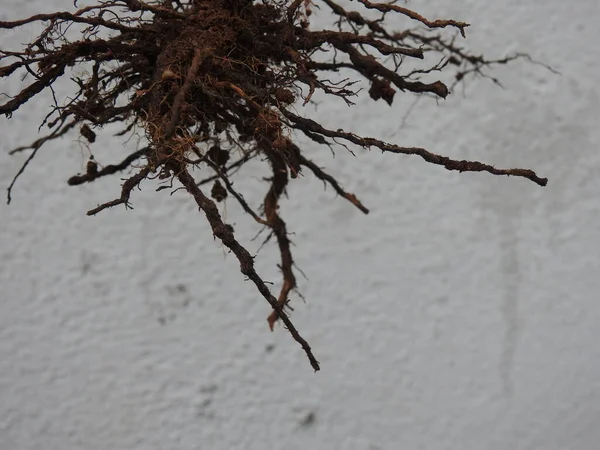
{"x": 462, "y": 313}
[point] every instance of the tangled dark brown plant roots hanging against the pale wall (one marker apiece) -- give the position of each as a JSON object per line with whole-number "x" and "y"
{"x": 217, "y": 83}
